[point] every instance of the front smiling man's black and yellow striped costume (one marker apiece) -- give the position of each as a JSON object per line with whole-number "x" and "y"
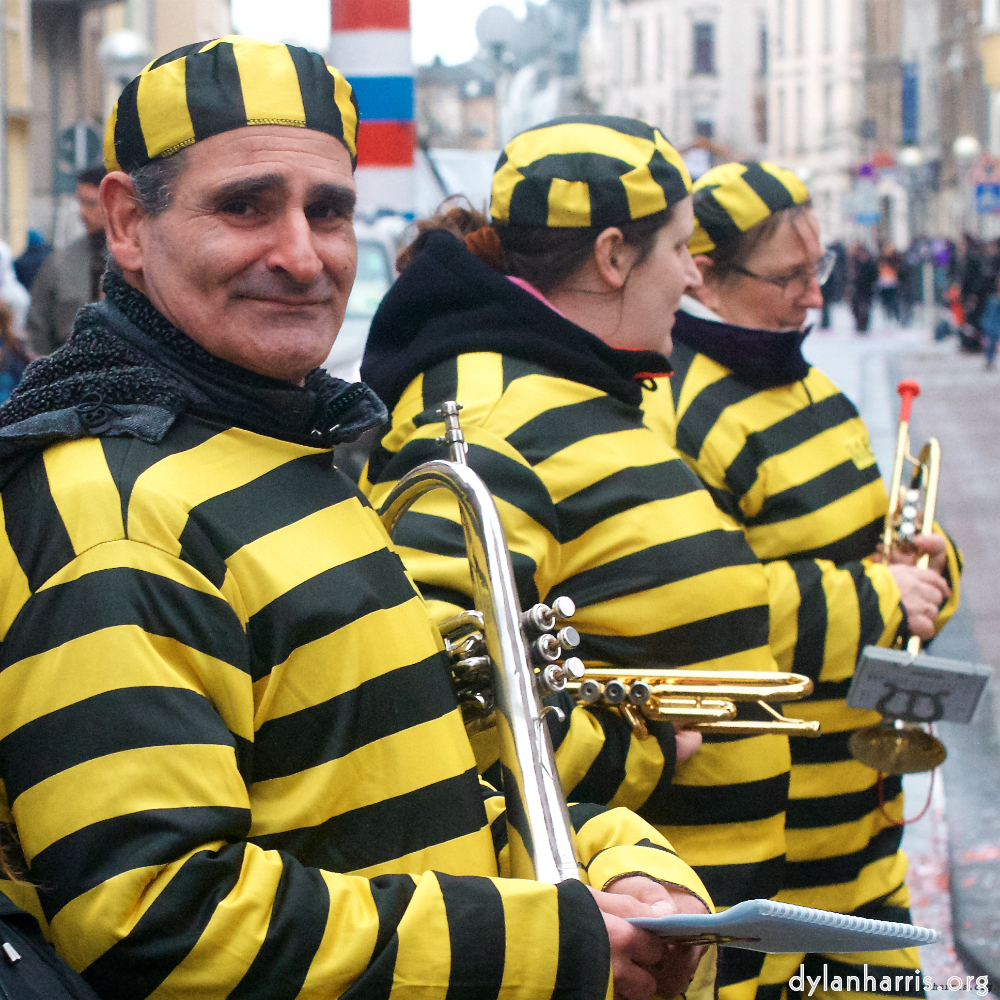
{"x": 229, "y": 750}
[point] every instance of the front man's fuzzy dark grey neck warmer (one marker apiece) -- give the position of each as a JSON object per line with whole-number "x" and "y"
{"x": 126, "y": 371}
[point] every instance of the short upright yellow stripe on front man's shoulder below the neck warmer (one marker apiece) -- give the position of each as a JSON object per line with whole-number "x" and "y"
{"x": 84, "y": 492}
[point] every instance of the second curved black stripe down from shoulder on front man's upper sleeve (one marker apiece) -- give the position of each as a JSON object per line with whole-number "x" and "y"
{"x": 112, "y": 722}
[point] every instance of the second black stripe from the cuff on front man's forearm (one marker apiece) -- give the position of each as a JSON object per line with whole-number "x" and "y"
{"x": 477, "y": 931}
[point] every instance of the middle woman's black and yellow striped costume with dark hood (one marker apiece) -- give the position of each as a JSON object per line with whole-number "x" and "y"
{"x": 597, "y": 507}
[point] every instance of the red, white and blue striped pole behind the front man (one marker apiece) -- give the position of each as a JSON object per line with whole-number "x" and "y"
{"x": 370, "y": 45}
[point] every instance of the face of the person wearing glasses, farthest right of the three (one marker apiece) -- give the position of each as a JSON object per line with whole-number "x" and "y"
{"x": 791, "y": 252}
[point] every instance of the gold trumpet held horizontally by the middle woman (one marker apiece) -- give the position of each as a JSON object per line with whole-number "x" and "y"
{"x": 704, "y": 700}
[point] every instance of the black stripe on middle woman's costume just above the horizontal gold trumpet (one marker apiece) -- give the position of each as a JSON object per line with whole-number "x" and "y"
{"x": 680, "y": 646}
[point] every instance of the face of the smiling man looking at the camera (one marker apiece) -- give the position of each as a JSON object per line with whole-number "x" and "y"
{"x": 255, "y": 257}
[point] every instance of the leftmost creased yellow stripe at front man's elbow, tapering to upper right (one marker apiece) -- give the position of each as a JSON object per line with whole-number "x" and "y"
{"x": 110, "y": 911}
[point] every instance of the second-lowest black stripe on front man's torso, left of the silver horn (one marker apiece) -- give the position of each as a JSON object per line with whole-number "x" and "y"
{"x": 378, "y": 708}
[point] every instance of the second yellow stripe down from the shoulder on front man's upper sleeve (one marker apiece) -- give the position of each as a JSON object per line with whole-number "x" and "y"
{"x": 77, "y": 670}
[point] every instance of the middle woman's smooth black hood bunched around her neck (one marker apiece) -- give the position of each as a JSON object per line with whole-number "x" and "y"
{"x": 448, "y": 302}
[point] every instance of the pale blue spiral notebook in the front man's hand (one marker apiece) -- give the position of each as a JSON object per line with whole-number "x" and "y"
{"x": 763, "y": 925}
